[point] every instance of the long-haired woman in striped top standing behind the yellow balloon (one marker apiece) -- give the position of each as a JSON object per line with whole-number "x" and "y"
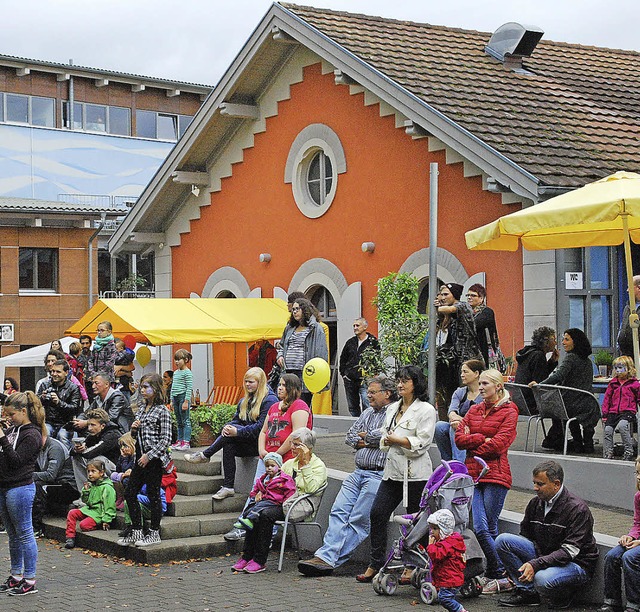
{"x": 303, "y": 339}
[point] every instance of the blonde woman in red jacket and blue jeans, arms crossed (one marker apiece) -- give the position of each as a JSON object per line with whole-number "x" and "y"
{"x": 487, "y": 431}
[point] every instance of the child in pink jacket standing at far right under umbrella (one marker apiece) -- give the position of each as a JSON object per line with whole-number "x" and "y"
{"x": 620, "y": 406}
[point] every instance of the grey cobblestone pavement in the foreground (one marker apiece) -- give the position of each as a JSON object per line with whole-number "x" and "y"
{"x": 75, "y": 581}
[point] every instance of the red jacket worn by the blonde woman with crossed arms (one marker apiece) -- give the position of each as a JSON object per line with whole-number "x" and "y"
{"x": 498, "y": 423}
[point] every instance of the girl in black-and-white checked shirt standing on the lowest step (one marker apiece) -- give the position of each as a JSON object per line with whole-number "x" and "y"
{"x": 152, "y": 433}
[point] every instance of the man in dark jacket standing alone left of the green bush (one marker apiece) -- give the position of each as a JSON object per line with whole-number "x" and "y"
{"x": 350, "y": 366}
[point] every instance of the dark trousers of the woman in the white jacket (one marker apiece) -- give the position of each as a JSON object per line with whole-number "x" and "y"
{"x": 389, "y": 495}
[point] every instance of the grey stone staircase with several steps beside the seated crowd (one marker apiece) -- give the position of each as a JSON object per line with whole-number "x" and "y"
{"x": 192, "y": 527}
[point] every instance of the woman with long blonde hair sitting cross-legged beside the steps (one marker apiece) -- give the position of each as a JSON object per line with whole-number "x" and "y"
{"x": 239, "y": 438}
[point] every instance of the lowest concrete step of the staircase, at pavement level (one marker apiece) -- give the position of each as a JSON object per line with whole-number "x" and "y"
{"x": 168, "y": 550}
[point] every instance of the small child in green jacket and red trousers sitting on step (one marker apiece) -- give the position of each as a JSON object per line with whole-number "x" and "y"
{"x": 99, "y": 498}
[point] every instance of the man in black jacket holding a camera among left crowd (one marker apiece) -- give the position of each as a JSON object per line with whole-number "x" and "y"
{"x": 61, "y": 401}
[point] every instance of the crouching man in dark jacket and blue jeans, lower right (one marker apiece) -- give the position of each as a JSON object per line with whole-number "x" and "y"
{"x": 555, "y": 552}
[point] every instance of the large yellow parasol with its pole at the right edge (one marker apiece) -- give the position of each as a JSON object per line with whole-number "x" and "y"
{"x": 603, "y": 213}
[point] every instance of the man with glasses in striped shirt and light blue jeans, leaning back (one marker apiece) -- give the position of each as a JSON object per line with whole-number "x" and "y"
{"x": 349, "y": 519}
